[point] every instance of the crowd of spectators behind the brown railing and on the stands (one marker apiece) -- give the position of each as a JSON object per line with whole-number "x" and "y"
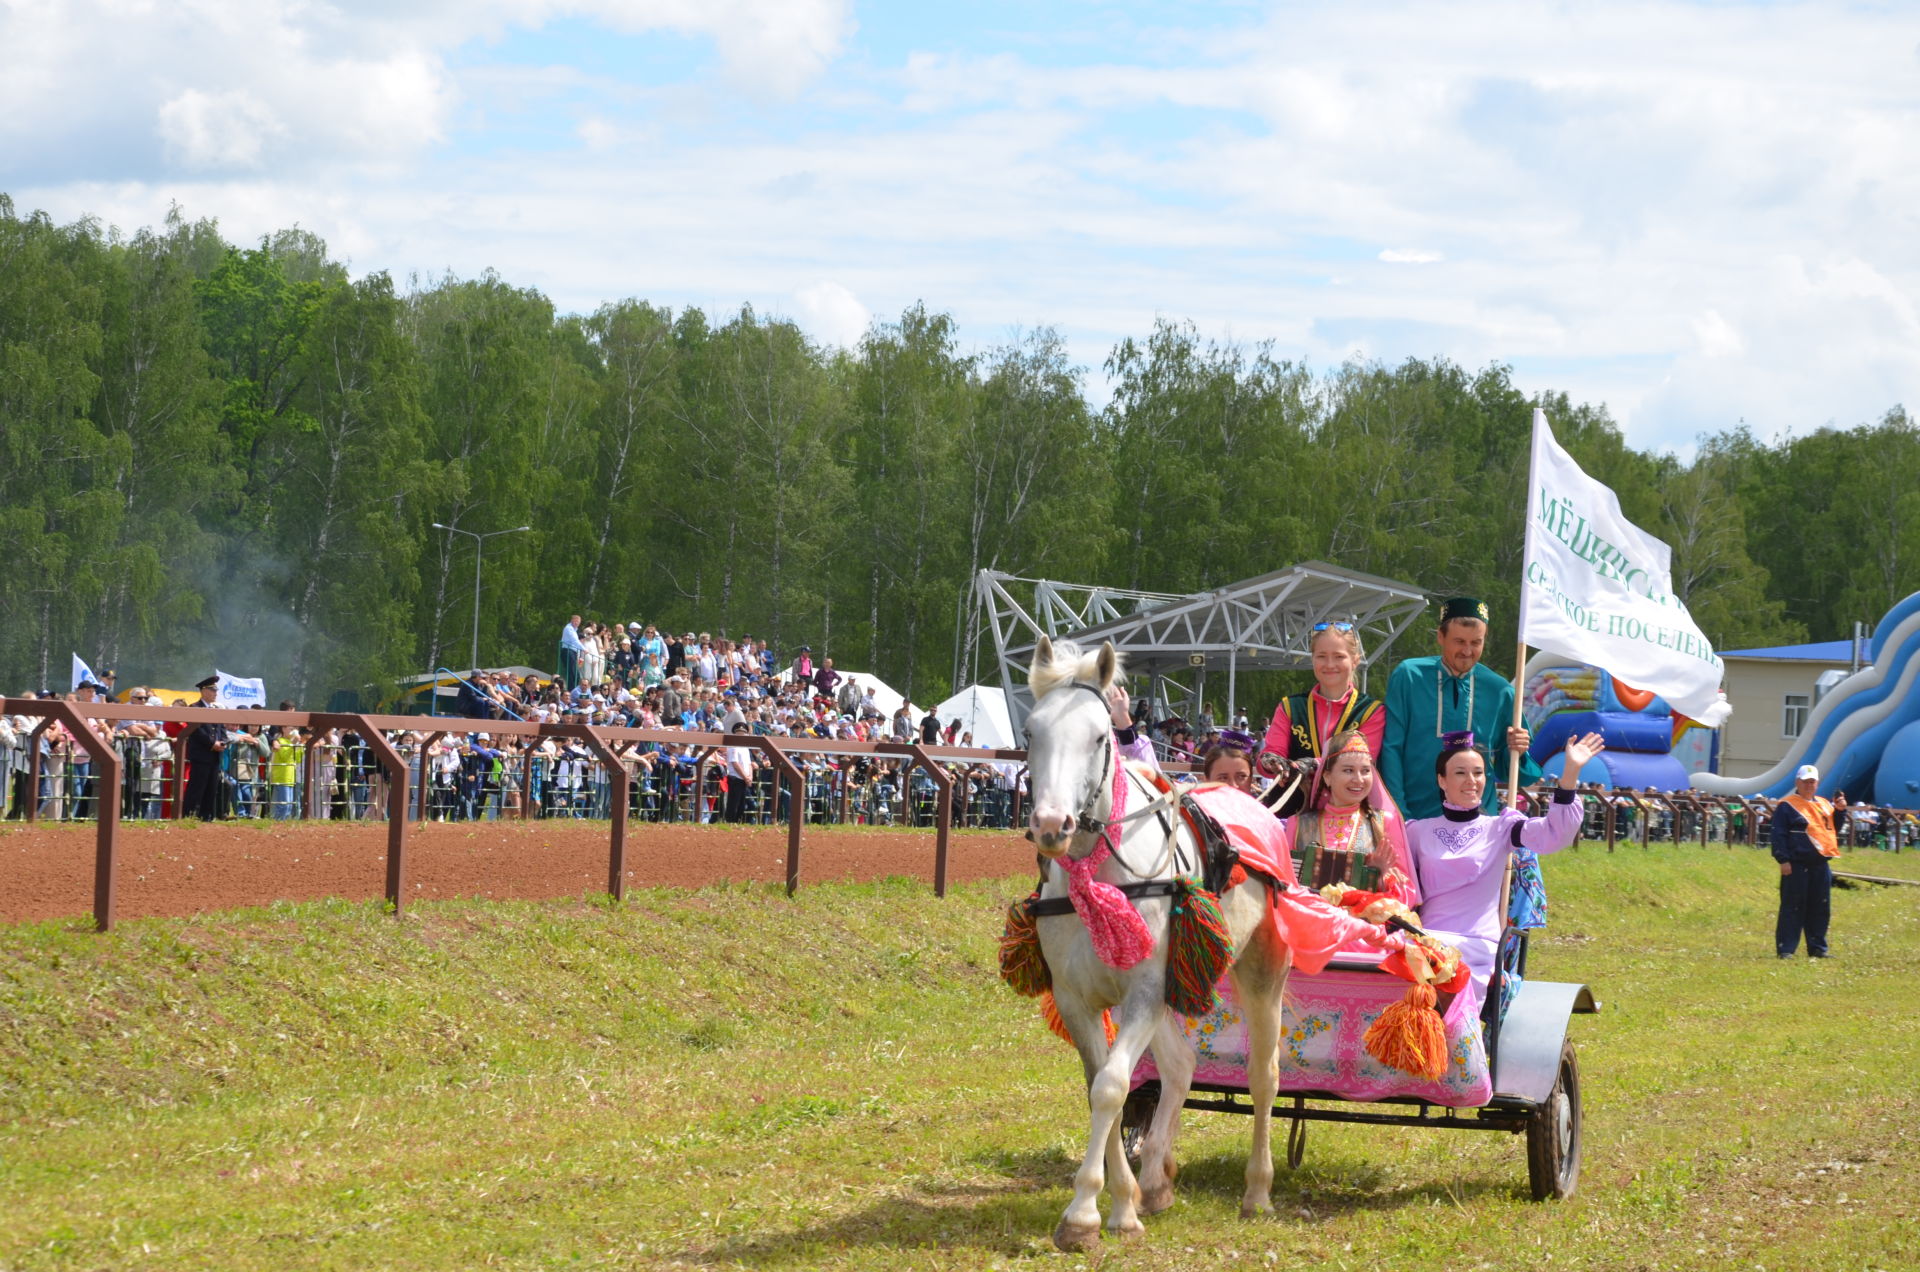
{"x": 638, "y": 677}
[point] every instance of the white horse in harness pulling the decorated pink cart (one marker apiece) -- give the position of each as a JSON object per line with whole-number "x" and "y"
{"x": 1072, "y": 766}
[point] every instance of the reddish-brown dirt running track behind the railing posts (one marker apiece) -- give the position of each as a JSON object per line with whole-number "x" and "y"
{"x": 170, "y": 869}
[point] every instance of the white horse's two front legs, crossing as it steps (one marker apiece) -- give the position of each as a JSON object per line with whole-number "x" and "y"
{"x": 1109, "y": 1075}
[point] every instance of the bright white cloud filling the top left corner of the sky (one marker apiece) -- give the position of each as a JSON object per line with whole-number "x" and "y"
{"x": 287, "y": 86}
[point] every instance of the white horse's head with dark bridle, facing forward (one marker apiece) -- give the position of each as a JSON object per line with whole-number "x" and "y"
{"x": 1070, "y": 752}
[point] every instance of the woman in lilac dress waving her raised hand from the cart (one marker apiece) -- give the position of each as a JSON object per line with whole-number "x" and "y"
{"x": 1462, "y": 856}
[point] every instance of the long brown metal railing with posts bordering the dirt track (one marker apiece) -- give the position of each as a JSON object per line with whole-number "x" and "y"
{"x": 108, "y": 764}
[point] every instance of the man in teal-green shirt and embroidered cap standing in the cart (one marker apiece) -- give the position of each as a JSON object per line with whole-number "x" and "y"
{"x": 1451, "y": 693}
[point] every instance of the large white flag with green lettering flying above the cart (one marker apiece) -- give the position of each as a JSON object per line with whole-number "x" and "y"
{"x": 1598, "y": 589}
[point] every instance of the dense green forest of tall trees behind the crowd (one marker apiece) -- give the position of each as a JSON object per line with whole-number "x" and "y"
{"x": 237, "y": 454}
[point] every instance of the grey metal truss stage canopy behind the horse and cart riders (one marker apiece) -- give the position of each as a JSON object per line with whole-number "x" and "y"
{"x": 1178, "y": 641}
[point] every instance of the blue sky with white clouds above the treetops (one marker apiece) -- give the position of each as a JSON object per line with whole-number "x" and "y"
{"x": 1698, "y": 214}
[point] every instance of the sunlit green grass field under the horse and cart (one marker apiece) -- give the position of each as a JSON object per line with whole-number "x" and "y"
{"x": 840, "y": 1081}
